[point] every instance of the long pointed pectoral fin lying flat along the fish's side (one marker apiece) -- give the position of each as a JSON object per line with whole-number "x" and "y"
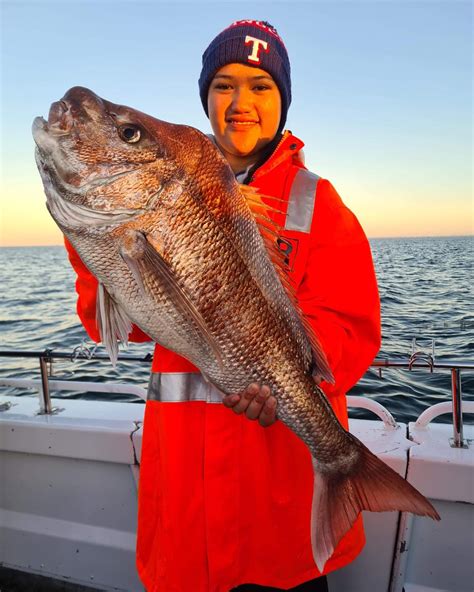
{"x": 143, "y": 259}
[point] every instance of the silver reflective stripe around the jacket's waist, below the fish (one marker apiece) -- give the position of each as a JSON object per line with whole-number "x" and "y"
{"x": 176, "y": 387}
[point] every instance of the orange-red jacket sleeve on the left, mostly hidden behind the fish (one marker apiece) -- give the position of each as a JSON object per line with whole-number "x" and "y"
{"x": 86, "y": 288}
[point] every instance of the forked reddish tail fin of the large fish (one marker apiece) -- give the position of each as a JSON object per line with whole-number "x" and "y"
{"x": 370, "y": 485}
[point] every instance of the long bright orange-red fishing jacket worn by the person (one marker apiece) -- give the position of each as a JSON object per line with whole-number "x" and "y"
{"x": 223, "y": 501}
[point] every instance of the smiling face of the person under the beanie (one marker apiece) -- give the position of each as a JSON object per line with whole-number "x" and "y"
{"x": 244, "y": 106}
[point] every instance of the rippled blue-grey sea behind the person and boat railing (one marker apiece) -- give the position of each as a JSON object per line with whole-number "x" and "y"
{"x": 425, "y": 286}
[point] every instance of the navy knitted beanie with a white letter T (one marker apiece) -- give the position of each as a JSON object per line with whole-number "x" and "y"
{"x": 253, "y": 43}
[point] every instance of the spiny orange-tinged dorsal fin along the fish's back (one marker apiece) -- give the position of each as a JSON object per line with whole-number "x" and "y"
{"x": 270, "y": 231}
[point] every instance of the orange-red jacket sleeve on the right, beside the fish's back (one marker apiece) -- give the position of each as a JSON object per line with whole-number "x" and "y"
{"x": 338, "y": 293}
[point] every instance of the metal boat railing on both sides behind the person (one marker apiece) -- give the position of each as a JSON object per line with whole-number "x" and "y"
{"x": 417, "y": 360}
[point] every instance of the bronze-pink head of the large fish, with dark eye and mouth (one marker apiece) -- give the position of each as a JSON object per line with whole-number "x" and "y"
{"x": 104, "y": 164}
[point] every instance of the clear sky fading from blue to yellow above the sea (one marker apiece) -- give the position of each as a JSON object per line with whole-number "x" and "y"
{"x": 382, "y": 95}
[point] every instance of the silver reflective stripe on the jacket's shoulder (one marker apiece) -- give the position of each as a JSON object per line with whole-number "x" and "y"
{"x": 301, "y": 202}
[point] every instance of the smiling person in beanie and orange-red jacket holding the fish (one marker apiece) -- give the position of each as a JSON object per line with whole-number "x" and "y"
{"x": 224, "y": 502}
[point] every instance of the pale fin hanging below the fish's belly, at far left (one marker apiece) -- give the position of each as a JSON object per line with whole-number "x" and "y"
{"x": 113, "y": 323}
